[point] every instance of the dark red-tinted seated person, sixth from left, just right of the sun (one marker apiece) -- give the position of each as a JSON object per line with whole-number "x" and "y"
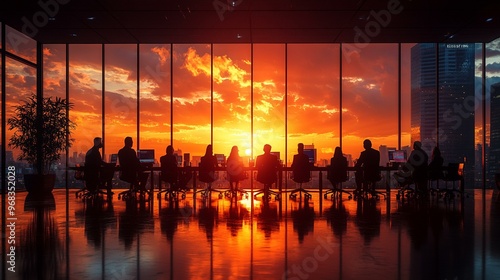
{"x": 267, "y": 166}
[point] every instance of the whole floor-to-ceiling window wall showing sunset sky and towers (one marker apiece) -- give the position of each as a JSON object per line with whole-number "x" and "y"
{"x": 281, "y": 94}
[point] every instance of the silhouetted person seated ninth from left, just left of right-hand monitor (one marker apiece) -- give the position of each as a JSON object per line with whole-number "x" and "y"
{"x": 368, "y": 169}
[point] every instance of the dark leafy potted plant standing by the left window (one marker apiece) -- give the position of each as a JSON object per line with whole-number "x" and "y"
{"x": 42, "y": 131}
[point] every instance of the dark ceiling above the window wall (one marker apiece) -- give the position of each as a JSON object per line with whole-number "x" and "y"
{"x": 257, "y": 21}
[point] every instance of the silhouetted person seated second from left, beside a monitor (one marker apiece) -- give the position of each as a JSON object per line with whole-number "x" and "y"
{"x": 131, "y": 170}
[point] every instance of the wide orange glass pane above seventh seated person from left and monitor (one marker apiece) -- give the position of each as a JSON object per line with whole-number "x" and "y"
{"x": 313, "y": 101}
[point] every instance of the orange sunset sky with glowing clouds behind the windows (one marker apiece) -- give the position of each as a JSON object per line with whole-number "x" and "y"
{"x": 296, "y": 95}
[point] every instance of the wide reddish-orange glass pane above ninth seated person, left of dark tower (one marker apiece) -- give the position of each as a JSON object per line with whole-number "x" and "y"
{"x": 370, "y": 98}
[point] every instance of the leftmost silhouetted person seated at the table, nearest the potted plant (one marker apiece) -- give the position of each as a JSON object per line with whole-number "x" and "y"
{"x": 94, "y": 169}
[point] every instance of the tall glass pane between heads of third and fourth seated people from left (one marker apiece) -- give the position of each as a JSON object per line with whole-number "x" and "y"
{"x": 192, "y": 100}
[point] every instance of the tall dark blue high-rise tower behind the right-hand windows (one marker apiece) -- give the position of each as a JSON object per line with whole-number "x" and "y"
{"x": 446, "y": 118}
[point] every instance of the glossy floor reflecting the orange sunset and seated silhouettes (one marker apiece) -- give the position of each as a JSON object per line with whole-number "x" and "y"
{"x": 67, "y": 238}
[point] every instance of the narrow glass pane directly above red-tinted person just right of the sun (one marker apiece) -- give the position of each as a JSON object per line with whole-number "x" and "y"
{"x": 269, "y": 98}
